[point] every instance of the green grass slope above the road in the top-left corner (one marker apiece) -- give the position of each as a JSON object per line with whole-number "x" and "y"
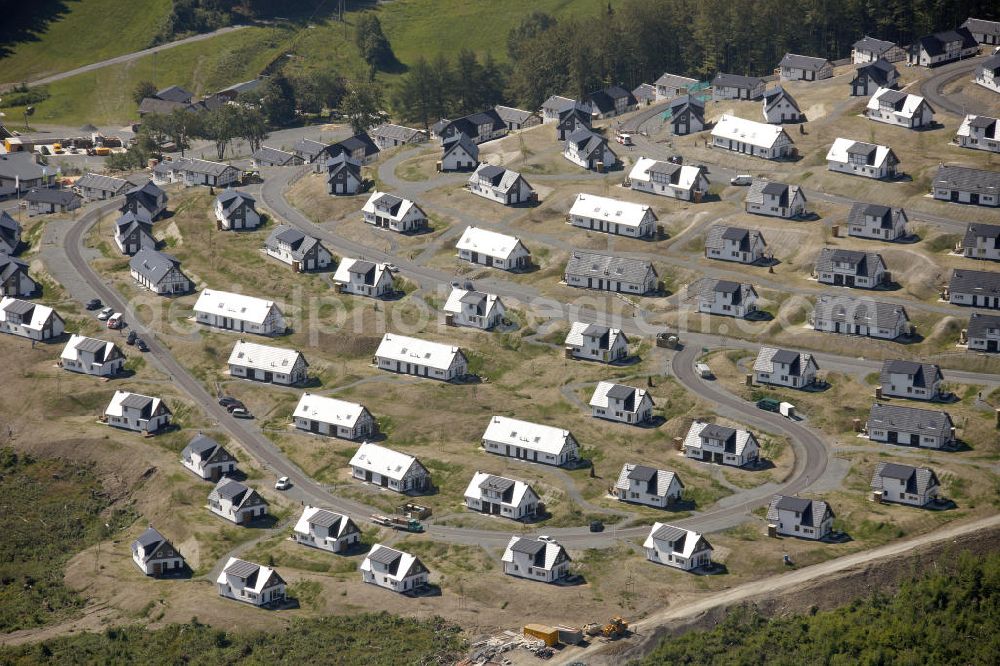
{"x": 84, "y": 34}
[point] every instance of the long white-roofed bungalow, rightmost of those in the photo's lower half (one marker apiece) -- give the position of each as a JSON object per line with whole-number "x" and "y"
{"x": 533, "y": 442}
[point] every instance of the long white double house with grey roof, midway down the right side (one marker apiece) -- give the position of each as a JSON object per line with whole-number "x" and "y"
{"x": 860, "y": 316}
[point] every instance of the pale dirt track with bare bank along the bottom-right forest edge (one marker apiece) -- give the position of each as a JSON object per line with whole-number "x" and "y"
{"x": 821, "y": 586}
